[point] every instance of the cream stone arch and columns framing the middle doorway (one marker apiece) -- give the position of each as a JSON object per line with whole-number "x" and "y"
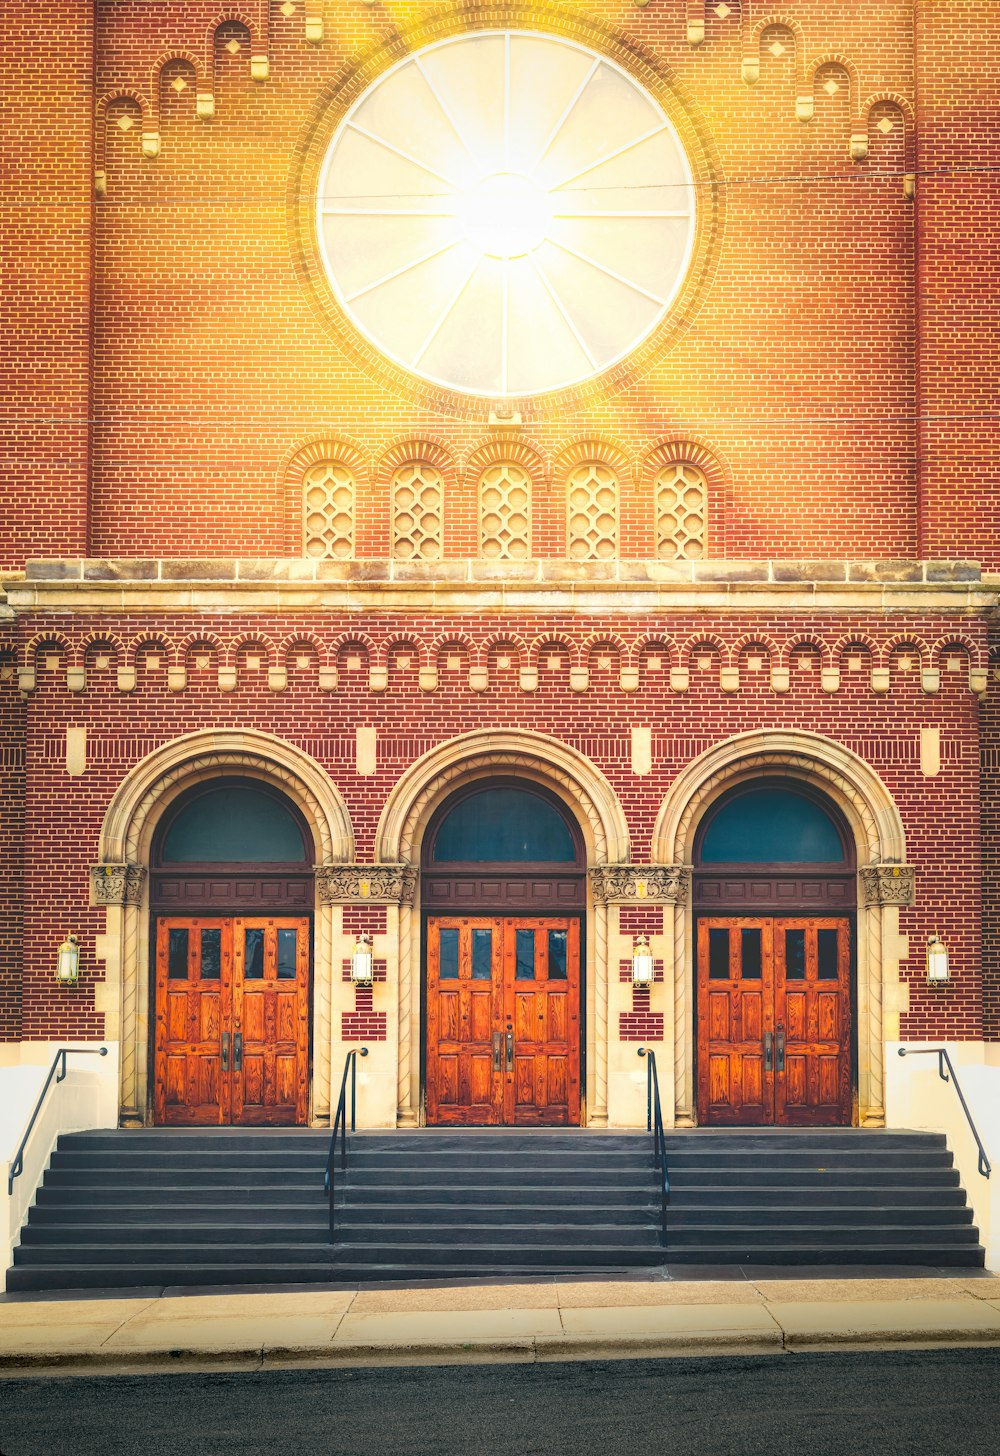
{"x": 589, "y": 797}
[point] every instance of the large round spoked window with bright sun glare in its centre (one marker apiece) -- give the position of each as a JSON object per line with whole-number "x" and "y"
{"x": 506, "y": 213}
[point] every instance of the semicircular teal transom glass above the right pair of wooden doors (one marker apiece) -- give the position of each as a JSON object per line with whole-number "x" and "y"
{"x": 772, "y": 825}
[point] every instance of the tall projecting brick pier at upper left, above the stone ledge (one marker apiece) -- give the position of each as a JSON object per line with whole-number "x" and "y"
{"x": 46, "y": 212}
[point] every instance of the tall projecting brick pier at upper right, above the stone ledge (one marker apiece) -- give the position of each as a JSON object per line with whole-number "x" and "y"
{"x": 959, "y": 202}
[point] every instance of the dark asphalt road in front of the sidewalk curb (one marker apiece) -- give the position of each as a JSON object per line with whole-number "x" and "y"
{"x": 855, "y": 1404}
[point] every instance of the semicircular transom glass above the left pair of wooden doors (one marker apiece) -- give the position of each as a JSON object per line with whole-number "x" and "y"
{"x": 235, "y": 825}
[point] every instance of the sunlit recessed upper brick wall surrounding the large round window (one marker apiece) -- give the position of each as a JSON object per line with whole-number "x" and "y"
{"x": 795, "y": 365}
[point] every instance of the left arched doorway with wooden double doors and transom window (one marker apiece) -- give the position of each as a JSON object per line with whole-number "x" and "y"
{"x": 231, "y": 901}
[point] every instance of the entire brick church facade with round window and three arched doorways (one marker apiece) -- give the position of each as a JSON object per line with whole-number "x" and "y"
{"x": 506, "y": 491}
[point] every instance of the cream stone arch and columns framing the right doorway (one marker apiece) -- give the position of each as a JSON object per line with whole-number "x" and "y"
{"x": 886, "y": 883}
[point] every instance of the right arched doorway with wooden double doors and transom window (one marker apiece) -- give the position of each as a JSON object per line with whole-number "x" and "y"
{"x": 775, "y": 896}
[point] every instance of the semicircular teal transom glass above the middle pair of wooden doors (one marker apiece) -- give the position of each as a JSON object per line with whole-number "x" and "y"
{"x": 504, "y": 825}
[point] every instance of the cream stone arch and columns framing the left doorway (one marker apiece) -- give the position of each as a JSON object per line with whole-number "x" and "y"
{"x": 122, "y": 882}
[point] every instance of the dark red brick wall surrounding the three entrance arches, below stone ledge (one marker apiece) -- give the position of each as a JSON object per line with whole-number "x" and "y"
{"x": 941, "y": 815}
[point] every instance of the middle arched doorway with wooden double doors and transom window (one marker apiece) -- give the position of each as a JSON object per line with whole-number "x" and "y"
{"x": 504, "y": 892}
